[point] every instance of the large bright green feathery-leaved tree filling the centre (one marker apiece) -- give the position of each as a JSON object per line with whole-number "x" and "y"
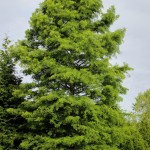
{"x": 72, "y": 102}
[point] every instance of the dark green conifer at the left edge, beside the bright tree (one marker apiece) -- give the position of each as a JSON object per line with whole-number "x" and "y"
{"x": 8, "y": 83}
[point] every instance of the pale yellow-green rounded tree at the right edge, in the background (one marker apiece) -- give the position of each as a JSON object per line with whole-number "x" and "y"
{"x": 142, "y": 112}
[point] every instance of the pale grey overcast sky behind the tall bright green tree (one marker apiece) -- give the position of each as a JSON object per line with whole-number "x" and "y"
{"x": 134, "y": 16}
